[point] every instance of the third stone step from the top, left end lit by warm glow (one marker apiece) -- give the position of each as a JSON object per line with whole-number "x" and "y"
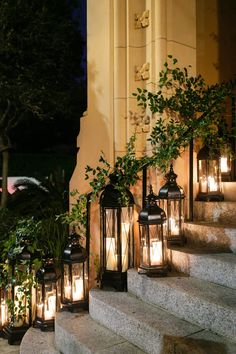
{"x": 219, "y": 268}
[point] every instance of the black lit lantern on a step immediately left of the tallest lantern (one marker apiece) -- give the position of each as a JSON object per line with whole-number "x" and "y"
{"x": 74, "y": 276}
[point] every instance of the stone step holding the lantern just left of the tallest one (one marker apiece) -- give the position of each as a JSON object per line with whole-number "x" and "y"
{"x": 79, "y": 333}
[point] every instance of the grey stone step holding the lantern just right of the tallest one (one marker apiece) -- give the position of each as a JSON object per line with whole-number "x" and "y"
{"x": 209, "y": 305}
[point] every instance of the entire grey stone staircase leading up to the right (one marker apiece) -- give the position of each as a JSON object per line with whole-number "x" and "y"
{"x": 192, "y": 310}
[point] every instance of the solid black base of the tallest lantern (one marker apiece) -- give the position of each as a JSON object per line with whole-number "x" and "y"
{"x": 117, "y": 280}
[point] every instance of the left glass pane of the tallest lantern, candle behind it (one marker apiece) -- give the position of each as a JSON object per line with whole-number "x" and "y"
{"x": 111, "y": 239}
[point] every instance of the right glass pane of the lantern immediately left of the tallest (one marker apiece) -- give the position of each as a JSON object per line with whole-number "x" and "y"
{"x": 77, "y": 282}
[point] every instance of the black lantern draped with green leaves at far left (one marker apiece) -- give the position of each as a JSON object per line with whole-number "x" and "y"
{"x": 19, "y": 296}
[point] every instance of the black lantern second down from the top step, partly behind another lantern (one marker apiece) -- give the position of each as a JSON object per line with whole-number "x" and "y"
{"x": 171, "y": 198}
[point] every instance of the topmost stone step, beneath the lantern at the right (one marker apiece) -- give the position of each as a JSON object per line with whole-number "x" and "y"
{"x": 215, "y": 211}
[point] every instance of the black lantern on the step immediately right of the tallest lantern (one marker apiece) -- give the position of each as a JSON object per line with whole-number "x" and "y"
{"x": 152, "y": 244}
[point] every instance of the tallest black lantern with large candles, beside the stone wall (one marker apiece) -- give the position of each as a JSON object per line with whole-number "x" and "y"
{"x": 117, "y": 237}
